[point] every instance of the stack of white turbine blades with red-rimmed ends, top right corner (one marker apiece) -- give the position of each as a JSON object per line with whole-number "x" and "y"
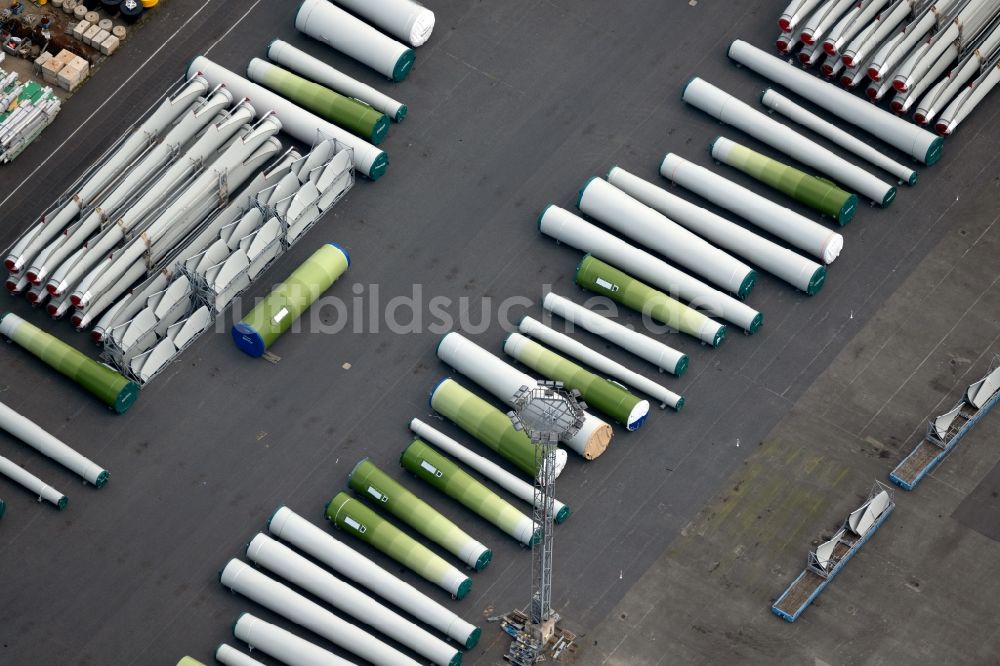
{"x": 941, "y": 58}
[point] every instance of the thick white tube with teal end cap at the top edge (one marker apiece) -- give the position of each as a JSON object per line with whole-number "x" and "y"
{"x": 328, "y": 23}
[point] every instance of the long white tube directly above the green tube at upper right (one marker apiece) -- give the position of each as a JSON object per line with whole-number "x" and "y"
{"x": 721, "y": 105}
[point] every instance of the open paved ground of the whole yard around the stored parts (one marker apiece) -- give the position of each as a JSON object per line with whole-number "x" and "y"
{"x": 512, "y": 106}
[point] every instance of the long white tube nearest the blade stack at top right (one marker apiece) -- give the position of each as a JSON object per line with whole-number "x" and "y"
{"x": 897, "y": 132}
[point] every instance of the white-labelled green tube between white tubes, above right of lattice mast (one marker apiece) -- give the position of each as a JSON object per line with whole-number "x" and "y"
{"x": 601, "y": 278}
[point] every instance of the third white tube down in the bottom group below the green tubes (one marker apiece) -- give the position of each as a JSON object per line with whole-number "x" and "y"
{"x": 269, "y": 593}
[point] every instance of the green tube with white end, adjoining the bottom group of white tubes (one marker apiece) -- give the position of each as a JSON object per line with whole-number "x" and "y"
{"x": 355, "y": 518}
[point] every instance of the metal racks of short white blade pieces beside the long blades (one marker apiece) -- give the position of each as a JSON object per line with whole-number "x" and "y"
{"x": 235, "y": 247}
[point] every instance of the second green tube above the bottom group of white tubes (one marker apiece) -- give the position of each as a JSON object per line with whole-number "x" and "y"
{"x": 376, "y": 486}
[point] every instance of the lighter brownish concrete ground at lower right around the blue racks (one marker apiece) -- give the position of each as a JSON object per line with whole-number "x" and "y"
{"x": 922, "y": 590}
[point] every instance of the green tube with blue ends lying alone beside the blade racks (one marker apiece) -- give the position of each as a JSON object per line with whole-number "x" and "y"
{"x": 275, "y": 314}
